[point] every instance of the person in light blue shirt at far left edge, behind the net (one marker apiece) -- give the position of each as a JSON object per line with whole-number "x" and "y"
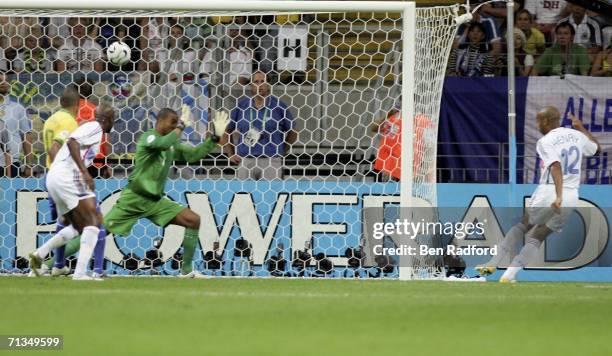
{"x": 18, "y": 126}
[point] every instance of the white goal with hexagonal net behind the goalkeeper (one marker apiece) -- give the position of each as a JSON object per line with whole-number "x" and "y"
{"x": 316, "y": 95}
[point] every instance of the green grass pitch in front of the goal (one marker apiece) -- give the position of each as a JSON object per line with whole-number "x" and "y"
{"x": 155, "y": 316}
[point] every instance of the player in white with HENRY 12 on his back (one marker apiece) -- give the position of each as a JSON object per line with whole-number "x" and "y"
{"x": 560, "y": 151}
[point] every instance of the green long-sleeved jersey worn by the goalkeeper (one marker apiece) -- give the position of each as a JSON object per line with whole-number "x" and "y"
{"x": 154, "y": 156}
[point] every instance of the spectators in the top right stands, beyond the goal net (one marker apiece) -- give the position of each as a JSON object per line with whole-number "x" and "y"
{"x": 550, "y": 37}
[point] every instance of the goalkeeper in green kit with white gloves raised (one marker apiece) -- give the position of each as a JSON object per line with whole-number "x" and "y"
{"x": 143, "y": 197}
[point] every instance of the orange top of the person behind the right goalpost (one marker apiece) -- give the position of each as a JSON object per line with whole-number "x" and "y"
{"x": 388, "y": 157}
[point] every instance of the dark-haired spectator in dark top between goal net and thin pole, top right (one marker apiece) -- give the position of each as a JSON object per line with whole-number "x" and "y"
{"x": 471, "y": 59}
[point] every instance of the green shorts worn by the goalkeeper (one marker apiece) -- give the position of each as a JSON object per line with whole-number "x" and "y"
{"x": 131, "y": 206}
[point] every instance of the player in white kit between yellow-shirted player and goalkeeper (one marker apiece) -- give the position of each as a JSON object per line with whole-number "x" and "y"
{"x": 72, "y": 189}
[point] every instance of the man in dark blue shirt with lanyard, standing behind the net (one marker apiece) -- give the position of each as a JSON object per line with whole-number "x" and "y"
{"x": 262, "y": 128}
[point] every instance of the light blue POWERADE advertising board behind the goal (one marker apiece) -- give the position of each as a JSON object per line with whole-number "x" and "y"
{"x": 268, "y": 214}
